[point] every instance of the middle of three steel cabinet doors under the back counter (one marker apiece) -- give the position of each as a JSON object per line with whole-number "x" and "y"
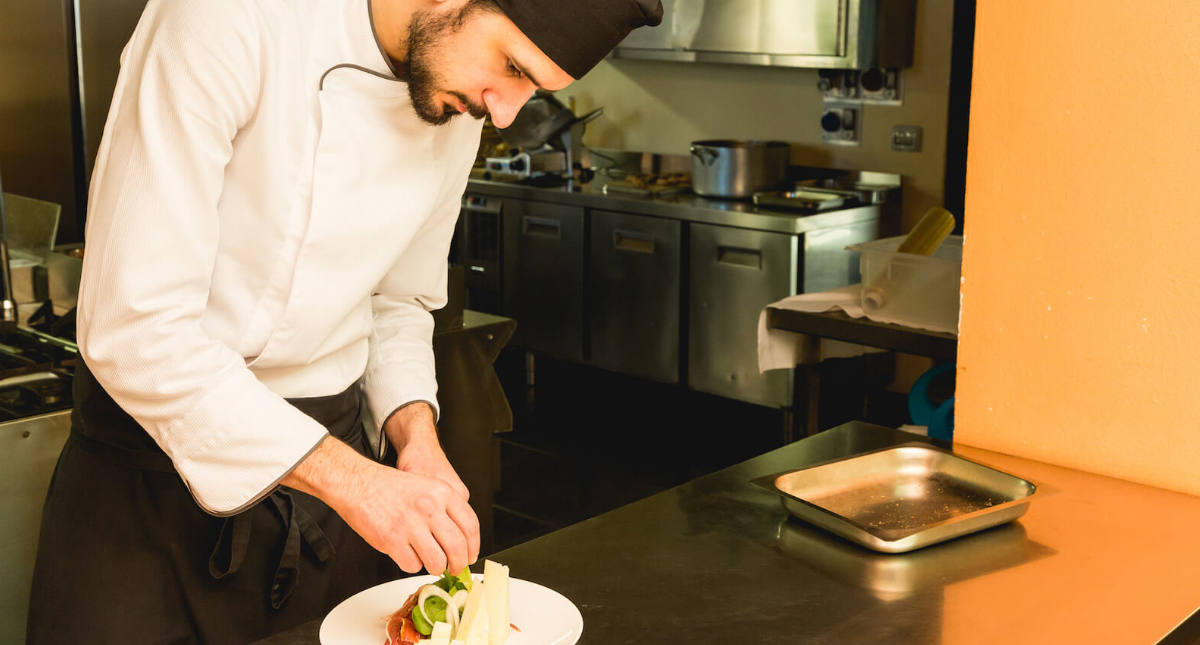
{"x": 635, "y": 280}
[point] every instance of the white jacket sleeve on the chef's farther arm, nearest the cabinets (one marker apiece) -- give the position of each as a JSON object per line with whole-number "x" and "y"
{"x": 400, "y": 365}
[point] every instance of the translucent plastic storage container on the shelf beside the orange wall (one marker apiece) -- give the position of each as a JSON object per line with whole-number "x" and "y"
{"x": 916, "y": 291}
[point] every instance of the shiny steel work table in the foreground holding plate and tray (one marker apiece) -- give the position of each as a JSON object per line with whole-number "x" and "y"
{"x": 717, "y": 562}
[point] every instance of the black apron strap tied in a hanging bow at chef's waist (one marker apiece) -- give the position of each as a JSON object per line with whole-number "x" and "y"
{"x": 230, "y": 552}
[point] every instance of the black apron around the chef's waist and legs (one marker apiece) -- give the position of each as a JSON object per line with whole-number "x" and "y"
{"x": 127, "y": 557}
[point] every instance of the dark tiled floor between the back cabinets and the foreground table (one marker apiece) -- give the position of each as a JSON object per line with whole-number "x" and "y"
{"x": 586, "y": 442}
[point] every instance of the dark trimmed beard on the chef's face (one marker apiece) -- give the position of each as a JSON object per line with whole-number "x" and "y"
{"x": 428, "y": 34}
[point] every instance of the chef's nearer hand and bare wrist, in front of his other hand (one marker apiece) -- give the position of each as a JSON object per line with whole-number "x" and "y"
{"x": 417, "y": 521}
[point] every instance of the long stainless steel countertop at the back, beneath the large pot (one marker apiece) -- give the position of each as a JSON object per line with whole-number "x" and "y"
{"x": 686, "y": 207}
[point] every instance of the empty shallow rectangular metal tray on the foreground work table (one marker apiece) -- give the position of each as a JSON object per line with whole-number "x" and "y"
{"x": 902, "y": 498}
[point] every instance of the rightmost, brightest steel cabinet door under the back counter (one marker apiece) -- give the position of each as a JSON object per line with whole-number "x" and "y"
{"x": 735, "y": 274}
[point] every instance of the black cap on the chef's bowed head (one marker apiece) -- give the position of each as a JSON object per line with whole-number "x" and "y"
{"x": 578, "y": 34}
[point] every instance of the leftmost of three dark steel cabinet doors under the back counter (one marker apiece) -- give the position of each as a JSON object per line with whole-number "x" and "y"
{"x": 544, "y": 261}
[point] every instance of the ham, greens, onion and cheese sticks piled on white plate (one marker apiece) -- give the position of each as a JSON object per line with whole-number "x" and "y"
{"x": 455, "y": 611}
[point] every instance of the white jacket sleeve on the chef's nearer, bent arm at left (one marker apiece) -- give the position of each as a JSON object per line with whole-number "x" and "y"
{"x": 190, "y": 80}
